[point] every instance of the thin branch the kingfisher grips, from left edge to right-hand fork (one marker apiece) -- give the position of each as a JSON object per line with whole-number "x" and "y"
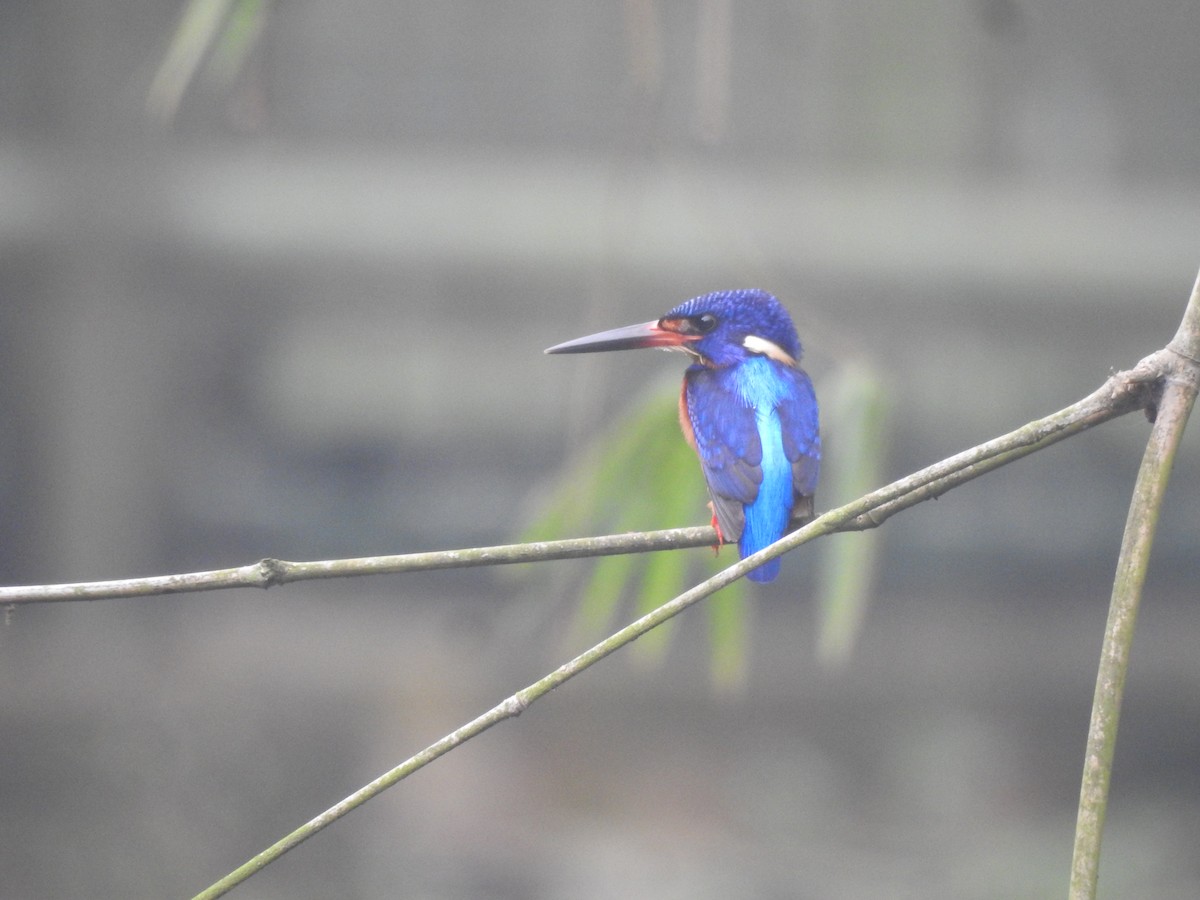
{"x": 1123, "y": 393}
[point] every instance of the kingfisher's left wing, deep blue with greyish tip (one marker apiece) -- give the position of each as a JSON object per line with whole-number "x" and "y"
{"x": 727, "y": 439}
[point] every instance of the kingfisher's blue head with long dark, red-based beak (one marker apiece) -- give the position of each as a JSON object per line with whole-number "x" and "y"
{"x": 718, "y": 329}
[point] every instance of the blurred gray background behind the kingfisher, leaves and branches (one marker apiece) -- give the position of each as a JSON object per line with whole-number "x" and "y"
{"x": 303, "y": 316}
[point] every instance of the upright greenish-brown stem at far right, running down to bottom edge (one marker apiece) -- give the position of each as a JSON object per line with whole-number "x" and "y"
{"x": 1175, "y": 406}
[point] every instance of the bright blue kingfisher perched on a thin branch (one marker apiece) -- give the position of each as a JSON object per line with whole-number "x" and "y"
{"x": 747, "y": 409}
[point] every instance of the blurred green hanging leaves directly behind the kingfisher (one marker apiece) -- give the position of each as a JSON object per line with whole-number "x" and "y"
{"x": 639, "y": 475}
